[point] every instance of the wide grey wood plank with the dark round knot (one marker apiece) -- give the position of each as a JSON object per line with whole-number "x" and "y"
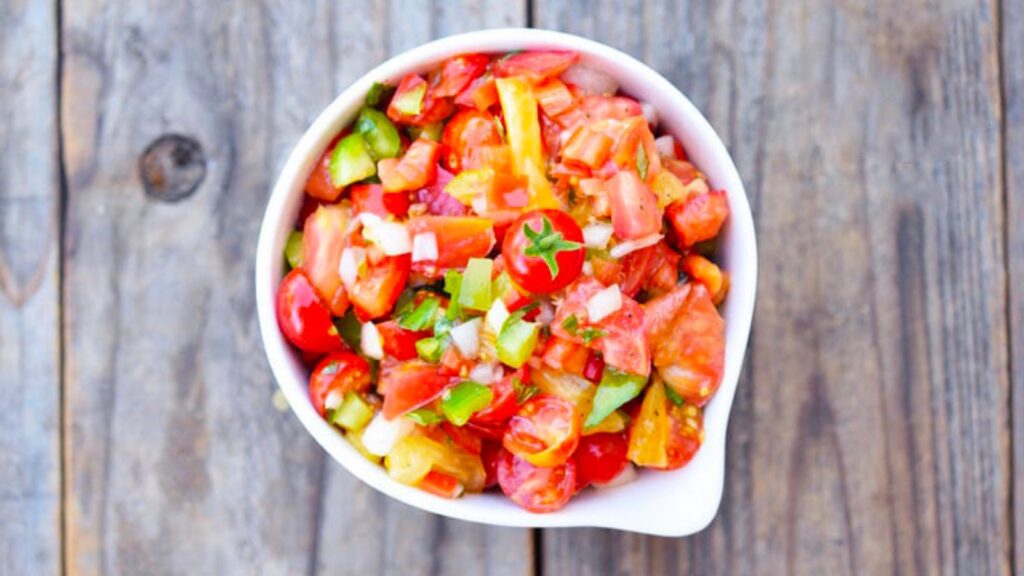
{"x": 178, "y": 462}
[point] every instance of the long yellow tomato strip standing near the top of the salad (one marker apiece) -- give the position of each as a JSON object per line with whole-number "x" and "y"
{"x": 523, "y": 129}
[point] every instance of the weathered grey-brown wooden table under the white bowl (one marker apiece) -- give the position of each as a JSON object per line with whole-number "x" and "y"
{"x": 878, "y": 427}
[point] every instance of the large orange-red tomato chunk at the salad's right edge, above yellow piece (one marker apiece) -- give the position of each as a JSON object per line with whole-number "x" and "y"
{"x": 689, "y": 338}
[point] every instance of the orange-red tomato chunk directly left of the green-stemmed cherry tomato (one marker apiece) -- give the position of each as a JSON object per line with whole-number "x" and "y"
{"x": 459, "y": 239}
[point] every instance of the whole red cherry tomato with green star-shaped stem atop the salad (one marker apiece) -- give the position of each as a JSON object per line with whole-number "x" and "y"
{"x": 544, "y": 252}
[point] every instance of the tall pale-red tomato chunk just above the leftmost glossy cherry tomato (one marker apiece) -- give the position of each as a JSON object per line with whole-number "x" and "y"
{"x": 323, "y": 241}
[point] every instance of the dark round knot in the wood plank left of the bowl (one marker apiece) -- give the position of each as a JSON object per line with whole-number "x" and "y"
{"x": 173, "y": 168}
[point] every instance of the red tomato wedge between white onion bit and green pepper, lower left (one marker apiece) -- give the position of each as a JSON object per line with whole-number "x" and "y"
{"x": 411, "y": 385}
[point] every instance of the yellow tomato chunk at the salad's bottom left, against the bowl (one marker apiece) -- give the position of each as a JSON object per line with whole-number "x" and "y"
{"x": 414, "y": 457}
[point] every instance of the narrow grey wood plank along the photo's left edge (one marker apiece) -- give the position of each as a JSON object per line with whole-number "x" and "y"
{"x": 30, "y": 374}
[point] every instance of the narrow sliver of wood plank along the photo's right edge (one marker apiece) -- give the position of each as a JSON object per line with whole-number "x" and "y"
{"x": 1013, "y": 90}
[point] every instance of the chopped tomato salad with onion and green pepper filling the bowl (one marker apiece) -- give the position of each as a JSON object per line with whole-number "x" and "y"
{"x": 503, "y": 276}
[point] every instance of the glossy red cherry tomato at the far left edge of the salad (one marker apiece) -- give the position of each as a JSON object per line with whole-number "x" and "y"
{"x": 304, "y": 316}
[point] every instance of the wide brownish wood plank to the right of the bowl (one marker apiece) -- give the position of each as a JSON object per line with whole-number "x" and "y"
{"x": 872, "y": 433}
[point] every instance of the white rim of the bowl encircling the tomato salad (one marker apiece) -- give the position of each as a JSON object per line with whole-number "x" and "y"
{"x": 282, "y": 208}
